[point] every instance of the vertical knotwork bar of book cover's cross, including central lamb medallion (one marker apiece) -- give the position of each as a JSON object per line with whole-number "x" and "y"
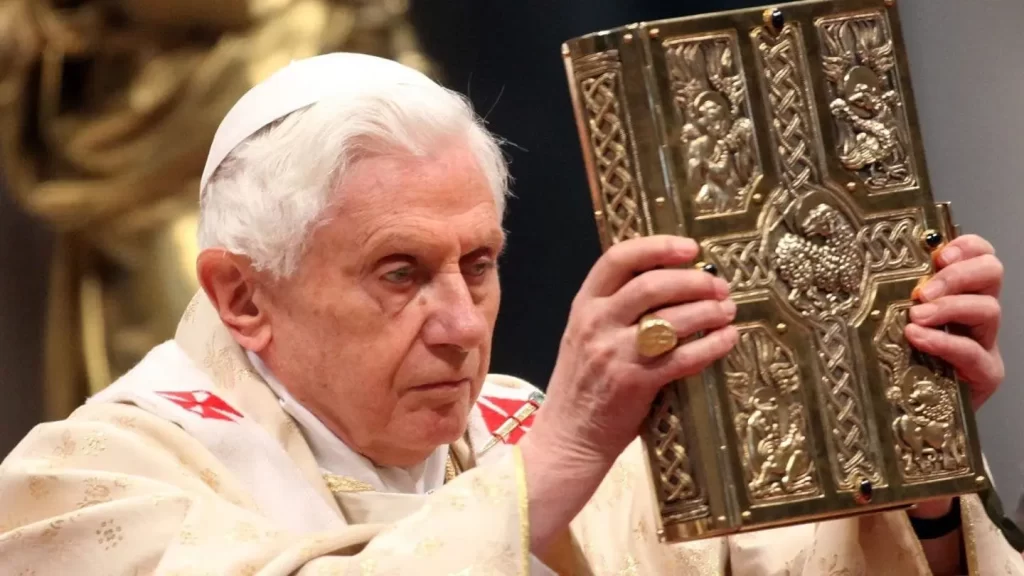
{"x": 826, "y": 302}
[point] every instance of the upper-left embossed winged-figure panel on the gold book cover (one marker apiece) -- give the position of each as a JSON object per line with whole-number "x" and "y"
{"x": 717, "y": 136}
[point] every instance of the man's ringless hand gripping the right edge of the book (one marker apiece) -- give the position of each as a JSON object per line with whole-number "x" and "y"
{"x": 964, "y": 293}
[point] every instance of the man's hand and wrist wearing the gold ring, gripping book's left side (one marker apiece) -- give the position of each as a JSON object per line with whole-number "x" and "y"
{"x": 603, "y": 388}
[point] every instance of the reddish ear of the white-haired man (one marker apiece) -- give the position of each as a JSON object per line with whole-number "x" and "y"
{"x": 233, "y": 287}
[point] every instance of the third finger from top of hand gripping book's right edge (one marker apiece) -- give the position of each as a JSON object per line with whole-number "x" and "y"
{"x": 979, "y": 314}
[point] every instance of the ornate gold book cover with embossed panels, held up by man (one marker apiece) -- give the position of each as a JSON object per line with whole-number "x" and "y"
{"x": 786, "y": 142}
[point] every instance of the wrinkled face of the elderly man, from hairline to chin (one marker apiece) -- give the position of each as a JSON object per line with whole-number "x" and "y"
{"x": 386, "y": 331}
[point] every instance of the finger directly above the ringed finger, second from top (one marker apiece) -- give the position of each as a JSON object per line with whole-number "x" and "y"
{"x": 660, "y": 289}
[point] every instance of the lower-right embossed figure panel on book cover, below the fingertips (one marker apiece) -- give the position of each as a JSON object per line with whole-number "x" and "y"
{"x": 928, "y": 435}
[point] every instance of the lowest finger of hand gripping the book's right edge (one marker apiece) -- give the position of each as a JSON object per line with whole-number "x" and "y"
{"x": 983, "y": 369}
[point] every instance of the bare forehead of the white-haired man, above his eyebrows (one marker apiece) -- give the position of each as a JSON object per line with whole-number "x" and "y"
{"x": 446, "y": 194}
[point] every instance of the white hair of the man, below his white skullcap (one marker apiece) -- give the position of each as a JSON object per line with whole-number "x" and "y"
{"x": 273, "y": 190}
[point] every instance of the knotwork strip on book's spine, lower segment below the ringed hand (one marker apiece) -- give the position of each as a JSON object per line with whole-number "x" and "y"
{"x": 682, "y": 498}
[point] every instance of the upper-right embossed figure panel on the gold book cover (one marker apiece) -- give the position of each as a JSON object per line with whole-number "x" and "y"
{"x": 860, "y": 65}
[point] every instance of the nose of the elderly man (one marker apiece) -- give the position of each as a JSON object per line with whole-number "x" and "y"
{"x": 455, "y": 319}
